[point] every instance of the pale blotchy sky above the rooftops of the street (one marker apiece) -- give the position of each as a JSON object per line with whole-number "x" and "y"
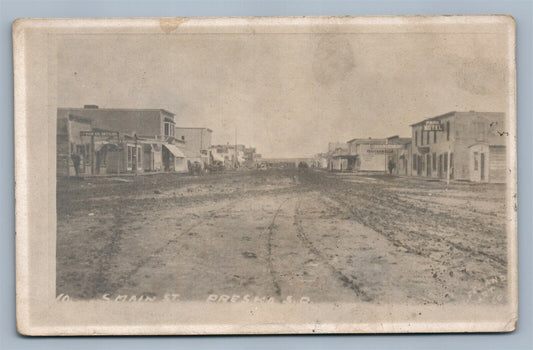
{"x": 288, "y": 95}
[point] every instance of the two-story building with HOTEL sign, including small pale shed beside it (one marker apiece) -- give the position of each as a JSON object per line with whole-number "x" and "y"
{"x": 472, "y": 145}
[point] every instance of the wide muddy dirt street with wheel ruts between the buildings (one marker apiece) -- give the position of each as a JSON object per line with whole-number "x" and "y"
{"x": 281, "y": 235}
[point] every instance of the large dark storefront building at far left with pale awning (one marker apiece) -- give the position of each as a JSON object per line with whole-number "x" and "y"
{"x": 116, "y": 140}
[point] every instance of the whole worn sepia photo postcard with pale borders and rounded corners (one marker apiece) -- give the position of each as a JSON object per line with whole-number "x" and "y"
{"x": 265, "y": 175}
